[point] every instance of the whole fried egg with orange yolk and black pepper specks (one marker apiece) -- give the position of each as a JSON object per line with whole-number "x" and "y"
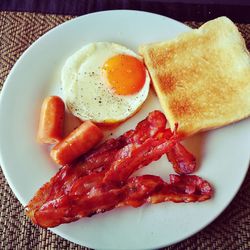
{"x": 104, "y": 82}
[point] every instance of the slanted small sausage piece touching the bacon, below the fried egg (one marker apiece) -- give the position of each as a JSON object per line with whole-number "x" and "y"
{"x": 78, "y": 142}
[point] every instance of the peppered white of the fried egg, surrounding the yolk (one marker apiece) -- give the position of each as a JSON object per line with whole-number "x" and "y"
{"x": 86, "y": 92}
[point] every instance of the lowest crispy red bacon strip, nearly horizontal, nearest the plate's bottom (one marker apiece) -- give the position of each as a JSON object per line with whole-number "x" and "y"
{"x": 136, "y": 192}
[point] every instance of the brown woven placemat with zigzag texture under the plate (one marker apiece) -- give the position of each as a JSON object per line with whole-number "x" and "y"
{"x": 231, "y": 230}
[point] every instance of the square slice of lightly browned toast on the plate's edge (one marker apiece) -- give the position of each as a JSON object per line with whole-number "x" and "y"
{"x": 202, "y": 77}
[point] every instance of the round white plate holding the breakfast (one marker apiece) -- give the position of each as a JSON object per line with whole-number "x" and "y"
{"x": 223, "y": 153}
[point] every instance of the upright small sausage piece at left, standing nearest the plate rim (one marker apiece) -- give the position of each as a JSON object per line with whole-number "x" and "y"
{"x": 51, "y": 120}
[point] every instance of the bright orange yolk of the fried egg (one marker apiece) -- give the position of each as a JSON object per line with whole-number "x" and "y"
{"x": 125, "y": 74}
